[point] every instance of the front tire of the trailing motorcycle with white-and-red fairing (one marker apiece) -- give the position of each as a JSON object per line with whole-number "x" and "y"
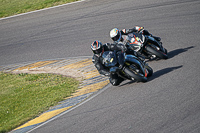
{"x": 156, "y": 52}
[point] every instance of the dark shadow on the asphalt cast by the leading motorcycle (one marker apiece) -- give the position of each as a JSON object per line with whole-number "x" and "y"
{"x": 155, "y": 75}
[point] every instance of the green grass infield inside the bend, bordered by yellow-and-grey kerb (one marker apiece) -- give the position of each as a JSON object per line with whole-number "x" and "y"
{"x": 25, "y": 96}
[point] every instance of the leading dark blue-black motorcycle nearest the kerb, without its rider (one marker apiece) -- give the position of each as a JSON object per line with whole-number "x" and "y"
{"x": 133, "y": 68}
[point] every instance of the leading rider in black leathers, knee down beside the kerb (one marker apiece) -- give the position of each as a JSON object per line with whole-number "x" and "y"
{"x": 98, "y": 49}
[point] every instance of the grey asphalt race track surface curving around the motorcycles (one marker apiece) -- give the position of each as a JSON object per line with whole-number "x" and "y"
{"x": 168, "y": 102}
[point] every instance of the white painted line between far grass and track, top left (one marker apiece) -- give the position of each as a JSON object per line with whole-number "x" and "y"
{"x": 41, "y": 10}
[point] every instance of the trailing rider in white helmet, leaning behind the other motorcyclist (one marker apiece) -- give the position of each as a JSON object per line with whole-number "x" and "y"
{"x": 120, "y": 36}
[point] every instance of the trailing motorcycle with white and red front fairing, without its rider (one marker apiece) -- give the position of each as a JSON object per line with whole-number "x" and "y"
{"x": 141, "y": 44}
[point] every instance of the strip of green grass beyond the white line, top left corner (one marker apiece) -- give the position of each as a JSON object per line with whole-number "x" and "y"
{"x": 13, "y": 7}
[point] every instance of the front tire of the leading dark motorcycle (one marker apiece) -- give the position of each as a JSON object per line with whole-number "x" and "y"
{"x": 137, "y": 76}
